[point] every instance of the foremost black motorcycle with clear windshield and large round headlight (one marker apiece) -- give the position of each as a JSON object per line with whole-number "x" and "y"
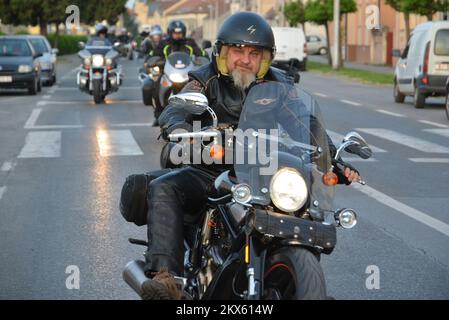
{"x": 271, "y": 215}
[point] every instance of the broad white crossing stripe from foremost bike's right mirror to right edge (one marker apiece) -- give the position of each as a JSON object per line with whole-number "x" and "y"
{"x": 408, "y": 141}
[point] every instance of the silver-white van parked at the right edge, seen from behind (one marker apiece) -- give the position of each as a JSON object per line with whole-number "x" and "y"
{"x": 423, "y": 67}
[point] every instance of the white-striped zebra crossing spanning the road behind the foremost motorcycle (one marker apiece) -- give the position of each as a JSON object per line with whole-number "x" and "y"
{"x": 119, "y": 141}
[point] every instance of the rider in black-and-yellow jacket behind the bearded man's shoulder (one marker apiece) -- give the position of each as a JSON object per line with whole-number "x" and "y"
{"x": 176, "y": 42}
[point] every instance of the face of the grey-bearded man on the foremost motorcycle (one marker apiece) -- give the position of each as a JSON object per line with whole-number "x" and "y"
{"x": 244, "y": 59}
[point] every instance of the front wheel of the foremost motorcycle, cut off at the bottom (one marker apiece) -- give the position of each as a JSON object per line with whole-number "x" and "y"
{"x": 294, "y": 273}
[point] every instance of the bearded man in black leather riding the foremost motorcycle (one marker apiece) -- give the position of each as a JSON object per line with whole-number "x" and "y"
{"x": 242, "y": 56}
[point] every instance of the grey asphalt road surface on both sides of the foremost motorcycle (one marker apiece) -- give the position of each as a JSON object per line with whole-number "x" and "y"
{"x": 64, "y": 159}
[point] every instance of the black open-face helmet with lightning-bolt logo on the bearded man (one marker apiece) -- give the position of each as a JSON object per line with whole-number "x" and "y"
{"x": 245, "y": 28}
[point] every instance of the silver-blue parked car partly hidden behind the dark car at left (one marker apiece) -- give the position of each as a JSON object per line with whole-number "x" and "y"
{"x": 48, "y": 59}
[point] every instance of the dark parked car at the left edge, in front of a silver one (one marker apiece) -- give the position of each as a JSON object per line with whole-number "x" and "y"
{"x": 19, "y": 64}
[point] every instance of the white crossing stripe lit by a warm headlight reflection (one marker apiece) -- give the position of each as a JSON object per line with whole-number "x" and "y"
{"x": 117, "y": 143}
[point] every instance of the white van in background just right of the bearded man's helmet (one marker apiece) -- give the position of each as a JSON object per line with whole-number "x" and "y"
{"x": 291, "y": 47}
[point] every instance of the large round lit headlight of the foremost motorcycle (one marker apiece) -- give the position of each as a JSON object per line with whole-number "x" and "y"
{"x": 288, "y": 190}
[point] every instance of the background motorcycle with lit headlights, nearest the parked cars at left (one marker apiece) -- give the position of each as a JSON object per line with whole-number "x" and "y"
{"x": 99, "y": 73}
